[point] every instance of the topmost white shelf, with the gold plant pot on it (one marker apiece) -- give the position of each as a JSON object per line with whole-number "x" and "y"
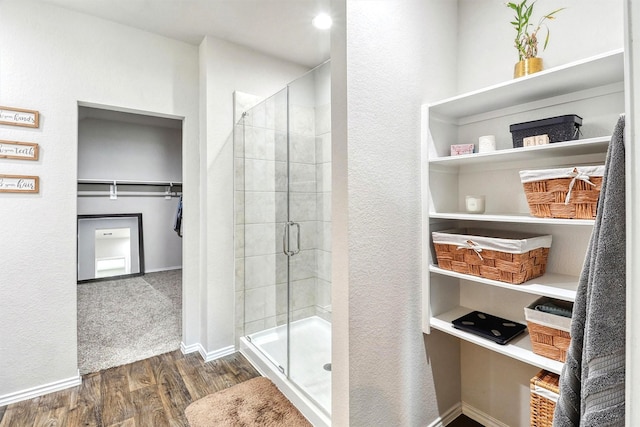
{"x": 596, "y": 71}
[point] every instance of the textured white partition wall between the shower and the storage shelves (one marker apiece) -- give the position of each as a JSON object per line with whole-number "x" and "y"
{"x": 392, "y": 58}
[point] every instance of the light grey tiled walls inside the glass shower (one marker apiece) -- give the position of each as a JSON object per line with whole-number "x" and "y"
{"x": 261, "y": 212}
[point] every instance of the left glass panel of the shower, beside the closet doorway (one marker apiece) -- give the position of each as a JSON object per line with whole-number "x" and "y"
{"x": 263, "y": 132}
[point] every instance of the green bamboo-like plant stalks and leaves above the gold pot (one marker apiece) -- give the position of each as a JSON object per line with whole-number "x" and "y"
{"x": 526, "y": 41}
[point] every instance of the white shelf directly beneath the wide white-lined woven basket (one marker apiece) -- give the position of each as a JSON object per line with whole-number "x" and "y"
{"x": 559, "y": 286}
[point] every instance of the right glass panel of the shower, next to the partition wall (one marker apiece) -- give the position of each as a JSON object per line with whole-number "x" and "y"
{"x": 309, "y": 206}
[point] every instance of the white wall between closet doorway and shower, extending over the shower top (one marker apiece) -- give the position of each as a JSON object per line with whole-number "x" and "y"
{"x": 224, "y": 68}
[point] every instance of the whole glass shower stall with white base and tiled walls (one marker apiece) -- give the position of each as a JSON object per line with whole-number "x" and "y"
{"x": 282, "y": 149}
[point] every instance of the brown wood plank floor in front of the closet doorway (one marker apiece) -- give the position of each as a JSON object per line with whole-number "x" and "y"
{"x": 151, "y": 393}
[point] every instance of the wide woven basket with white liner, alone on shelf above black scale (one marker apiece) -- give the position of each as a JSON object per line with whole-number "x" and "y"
{"x": 493, "y": 254}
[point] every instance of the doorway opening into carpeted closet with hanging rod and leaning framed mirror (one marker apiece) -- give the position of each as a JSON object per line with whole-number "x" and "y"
{"x": 129, "y": 166}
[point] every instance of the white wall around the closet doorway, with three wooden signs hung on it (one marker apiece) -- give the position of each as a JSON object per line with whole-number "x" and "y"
{"x": 50, "y": 59}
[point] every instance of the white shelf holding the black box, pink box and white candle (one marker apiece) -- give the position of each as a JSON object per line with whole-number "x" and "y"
{"x": 556, "y": 149}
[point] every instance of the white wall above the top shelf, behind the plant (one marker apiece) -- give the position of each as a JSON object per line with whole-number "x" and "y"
{"x": 485, "y": 51}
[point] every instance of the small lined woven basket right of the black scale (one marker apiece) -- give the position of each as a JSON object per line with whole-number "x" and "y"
{"x": 549, "y": 333}
